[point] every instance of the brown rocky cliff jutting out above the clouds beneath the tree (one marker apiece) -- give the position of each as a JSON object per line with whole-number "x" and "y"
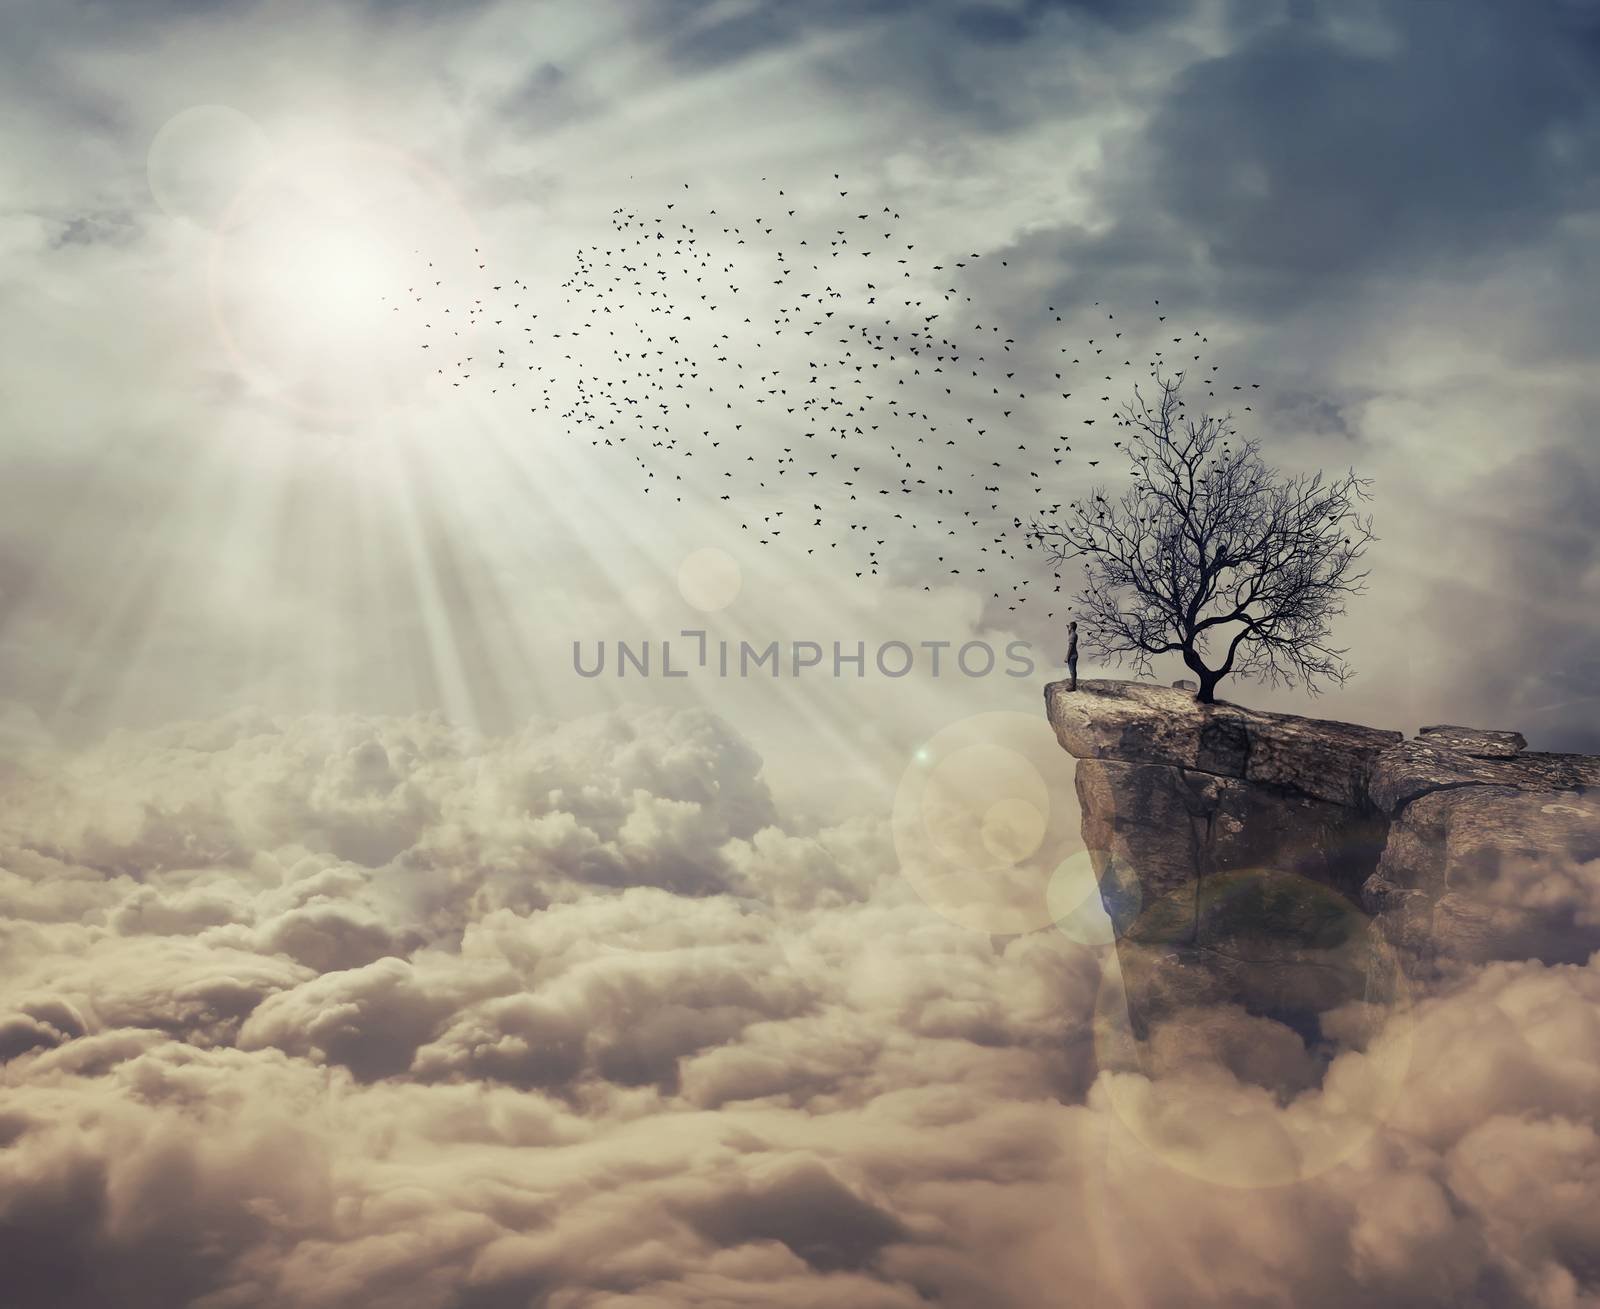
{"x": 1292, "y": 865}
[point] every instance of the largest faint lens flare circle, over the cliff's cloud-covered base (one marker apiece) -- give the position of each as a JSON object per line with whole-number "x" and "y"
{"x": 1274, "y": 1091}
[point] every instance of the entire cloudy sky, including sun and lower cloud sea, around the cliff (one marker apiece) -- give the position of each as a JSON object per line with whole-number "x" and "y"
{"x": 359, "y": 950}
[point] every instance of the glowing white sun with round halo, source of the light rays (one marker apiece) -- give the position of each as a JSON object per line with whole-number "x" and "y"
{"x": 329, "y": 271}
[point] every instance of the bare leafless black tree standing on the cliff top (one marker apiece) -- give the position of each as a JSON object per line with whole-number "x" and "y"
{"x": 1209, "y": 545}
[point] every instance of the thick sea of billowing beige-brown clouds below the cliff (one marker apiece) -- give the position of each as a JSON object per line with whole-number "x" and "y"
{"x": 303, "y": 1081}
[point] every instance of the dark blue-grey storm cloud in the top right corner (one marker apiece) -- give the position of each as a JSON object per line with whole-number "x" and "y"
{"x": 1359, "y": 140}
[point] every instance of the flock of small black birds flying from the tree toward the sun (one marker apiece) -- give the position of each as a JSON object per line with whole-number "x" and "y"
{"x": 817, "y": 374}
